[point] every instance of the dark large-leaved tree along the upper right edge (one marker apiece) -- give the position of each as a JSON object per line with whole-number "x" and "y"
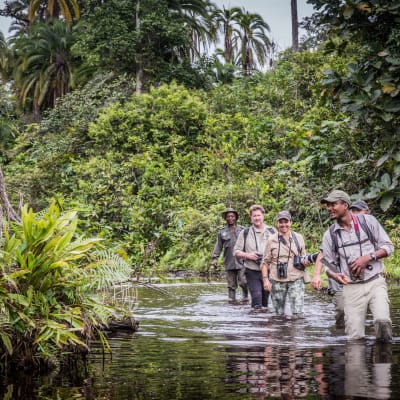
{"x": 369, "y": 88}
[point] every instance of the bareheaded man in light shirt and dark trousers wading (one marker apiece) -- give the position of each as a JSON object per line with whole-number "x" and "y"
{"x": 250, "y": 248}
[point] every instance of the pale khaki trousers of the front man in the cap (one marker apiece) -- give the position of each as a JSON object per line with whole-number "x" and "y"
{"x": 357, "y": 298}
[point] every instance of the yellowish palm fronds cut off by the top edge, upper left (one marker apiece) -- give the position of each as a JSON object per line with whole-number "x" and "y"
{"x": 53, "y": 9}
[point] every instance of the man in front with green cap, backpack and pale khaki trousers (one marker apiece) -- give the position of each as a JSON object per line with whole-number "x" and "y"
{"x": 357, "y": 264}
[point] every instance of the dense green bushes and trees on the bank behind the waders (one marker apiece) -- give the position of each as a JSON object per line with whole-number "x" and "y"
{"x": 151, "y": 173}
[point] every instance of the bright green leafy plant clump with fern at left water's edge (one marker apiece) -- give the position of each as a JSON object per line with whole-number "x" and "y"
{"x": 52, "y": 288}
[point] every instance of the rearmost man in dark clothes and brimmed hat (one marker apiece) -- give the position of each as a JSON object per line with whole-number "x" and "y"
{"x": 225, "y": 243}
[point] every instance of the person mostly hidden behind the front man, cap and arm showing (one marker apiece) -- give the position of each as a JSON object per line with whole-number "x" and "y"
{"x": 335, "y": 289}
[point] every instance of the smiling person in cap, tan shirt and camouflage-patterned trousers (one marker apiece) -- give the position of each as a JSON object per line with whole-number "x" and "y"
{"x": 280, "y": 276}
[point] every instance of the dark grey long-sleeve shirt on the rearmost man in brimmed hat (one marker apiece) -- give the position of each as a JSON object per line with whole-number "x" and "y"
{"x": 225, "y": 243}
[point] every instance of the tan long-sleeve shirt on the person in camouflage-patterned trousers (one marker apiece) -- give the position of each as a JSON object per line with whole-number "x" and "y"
{"x": 286, "y": 251}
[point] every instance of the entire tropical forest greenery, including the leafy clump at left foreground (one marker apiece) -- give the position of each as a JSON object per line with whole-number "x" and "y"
{"x": 127, "y": 127}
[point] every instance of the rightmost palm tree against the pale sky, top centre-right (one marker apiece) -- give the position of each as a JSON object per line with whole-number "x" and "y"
{"x": 254, "y": 41}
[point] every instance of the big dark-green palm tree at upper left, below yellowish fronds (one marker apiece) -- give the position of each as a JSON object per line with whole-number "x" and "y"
{"x": 43, "y": 64}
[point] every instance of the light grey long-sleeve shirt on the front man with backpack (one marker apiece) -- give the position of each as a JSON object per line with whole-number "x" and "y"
{"x": 351, "y": 247}
